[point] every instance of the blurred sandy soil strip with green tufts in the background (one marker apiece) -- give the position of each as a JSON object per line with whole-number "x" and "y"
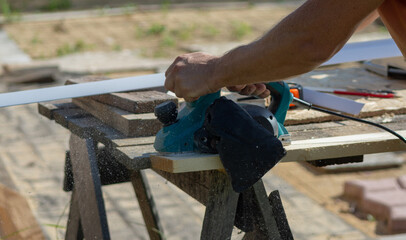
{"x": 160, "y": 33}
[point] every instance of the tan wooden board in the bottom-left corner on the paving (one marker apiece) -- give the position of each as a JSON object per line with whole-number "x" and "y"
{"x": 16, "y": 218}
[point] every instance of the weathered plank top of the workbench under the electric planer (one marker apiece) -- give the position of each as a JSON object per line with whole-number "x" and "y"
{"x": 314, "y": 135}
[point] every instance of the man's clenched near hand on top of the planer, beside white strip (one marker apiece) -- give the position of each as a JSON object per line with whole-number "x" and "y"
{"x": 192, "y": 75}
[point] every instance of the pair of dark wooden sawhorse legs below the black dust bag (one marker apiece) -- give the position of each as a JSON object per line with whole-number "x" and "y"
{"x": 268, "y": 215}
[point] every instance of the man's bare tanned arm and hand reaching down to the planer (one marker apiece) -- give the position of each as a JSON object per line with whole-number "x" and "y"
{"x": 299, "y": 43}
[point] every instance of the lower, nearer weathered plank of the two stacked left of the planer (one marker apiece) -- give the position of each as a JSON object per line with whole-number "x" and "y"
{"x": 131, "y": 125}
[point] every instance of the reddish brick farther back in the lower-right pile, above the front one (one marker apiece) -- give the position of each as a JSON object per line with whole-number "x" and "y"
{"x": 355, "y": 190}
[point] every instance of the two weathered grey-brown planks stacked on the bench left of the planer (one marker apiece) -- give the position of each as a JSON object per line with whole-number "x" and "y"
{"x": 131, "y": 113}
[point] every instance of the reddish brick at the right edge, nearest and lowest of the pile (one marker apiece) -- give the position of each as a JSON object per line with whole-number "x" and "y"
{"x": 379, "y": 204}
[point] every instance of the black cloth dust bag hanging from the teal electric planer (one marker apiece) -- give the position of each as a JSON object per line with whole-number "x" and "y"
{"x": 247, "y": 150}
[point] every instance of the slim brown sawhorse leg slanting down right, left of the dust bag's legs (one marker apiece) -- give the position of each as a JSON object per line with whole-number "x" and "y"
{"x": 147, "y": 205}
